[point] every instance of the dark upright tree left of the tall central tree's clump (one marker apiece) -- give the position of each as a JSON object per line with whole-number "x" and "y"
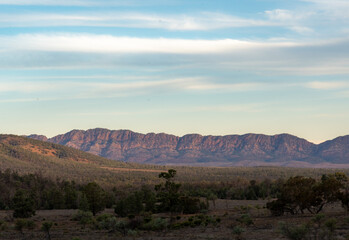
{"x": 95, "y": 196}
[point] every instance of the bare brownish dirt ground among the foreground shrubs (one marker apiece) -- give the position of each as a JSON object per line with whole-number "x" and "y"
{"x": 264, "y": 226}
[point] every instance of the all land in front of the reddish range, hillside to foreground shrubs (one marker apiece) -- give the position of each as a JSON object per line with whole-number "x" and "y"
{"x": 56, "y": 192}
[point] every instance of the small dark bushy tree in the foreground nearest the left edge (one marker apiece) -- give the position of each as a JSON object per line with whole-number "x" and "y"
{"x": 23, "y": 205}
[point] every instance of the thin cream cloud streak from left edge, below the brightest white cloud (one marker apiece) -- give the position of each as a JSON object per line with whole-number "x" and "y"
{"x": 102, "y": 88}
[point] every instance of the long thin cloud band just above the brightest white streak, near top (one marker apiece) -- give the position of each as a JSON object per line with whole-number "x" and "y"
{"x": 183, "y": 22}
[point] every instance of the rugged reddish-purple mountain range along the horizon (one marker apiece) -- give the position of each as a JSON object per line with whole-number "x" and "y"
{"x": 197, "y": 150}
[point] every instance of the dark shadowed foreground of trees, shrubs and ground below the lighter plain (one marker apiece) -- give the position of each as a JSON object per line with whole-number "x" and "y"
{"x": 314, "y": 208}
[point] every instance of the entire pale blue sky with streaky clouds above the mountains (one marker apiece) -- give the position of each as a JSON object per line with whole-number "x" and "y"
{"x": 175, "y": 66}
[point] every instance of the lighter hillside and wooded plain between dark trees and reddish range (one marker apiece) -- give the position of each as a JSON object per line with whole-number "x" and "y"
{"x": 27, "y": 155}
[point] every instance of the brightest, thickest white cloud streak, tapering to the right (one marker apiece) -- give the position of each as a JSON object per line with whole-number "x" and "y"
{"x": 112, "y": 44}
